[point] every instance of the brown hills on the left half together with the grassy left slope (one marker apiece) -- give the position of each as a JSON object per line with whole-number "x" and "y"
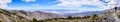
{"x": 26, "y": 16}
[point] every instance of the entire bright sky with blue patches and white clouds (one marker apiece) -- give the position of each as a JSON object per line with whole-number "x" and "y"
{"x": 68, "y": 5}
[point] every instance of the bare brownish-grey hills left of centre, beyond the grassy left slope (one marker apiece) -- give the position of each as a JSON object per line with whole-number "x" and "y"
{"x": 37, "y": 14}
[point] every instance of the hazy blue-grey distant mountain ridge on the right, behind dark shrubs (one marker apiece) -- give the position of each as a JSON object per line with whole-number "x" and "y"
{"x": 89, "y": 13}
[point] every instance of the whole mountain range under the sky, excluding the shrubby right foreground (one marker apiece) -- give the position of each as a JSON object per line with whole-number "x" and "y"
{"x": 28, "y": 16}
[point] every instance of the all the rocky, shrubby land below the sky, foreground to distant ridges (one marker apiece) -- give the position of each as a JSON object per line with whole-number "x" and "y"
{"x": 39, "y": 16}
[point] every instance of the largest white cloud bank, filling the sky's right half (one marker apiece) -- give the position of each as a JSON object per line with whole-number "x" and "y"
{"x": 80, "y": 3}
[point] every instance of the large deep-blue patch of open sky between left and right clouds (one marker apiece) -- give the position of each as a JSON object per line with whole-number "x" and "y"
{"x": 39, "y": 4}
